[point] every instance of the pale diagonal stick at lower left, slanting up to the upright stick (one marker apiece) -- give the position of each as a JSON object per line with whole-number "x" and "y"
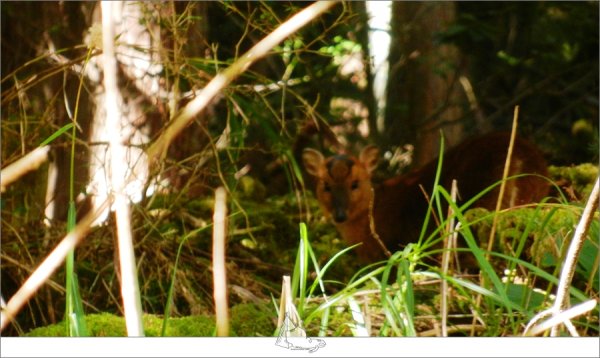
{"x": 48, "y": 266}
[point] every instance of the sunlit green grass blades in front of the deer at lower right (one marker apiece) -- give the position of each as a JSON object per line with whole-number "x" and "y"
{"x": 389, "y": 298}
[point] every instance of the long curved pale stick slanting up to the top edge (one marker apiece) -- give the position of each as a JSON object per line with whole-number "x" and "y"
{"x": 221, "y": 80}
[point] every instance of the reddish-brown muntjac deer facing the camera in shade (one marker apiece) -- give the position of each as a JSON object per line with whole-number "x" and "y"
{"x": 396, "y": 208}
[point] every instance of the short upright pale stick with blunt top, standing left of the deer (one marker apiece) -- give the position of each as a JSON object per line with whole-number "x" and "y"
{"x": 219, "y": 270}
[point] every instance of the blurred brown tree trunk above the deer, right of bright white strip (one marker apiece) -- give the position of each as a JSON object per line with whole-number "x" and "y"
{"x": 423, "y": 89}
